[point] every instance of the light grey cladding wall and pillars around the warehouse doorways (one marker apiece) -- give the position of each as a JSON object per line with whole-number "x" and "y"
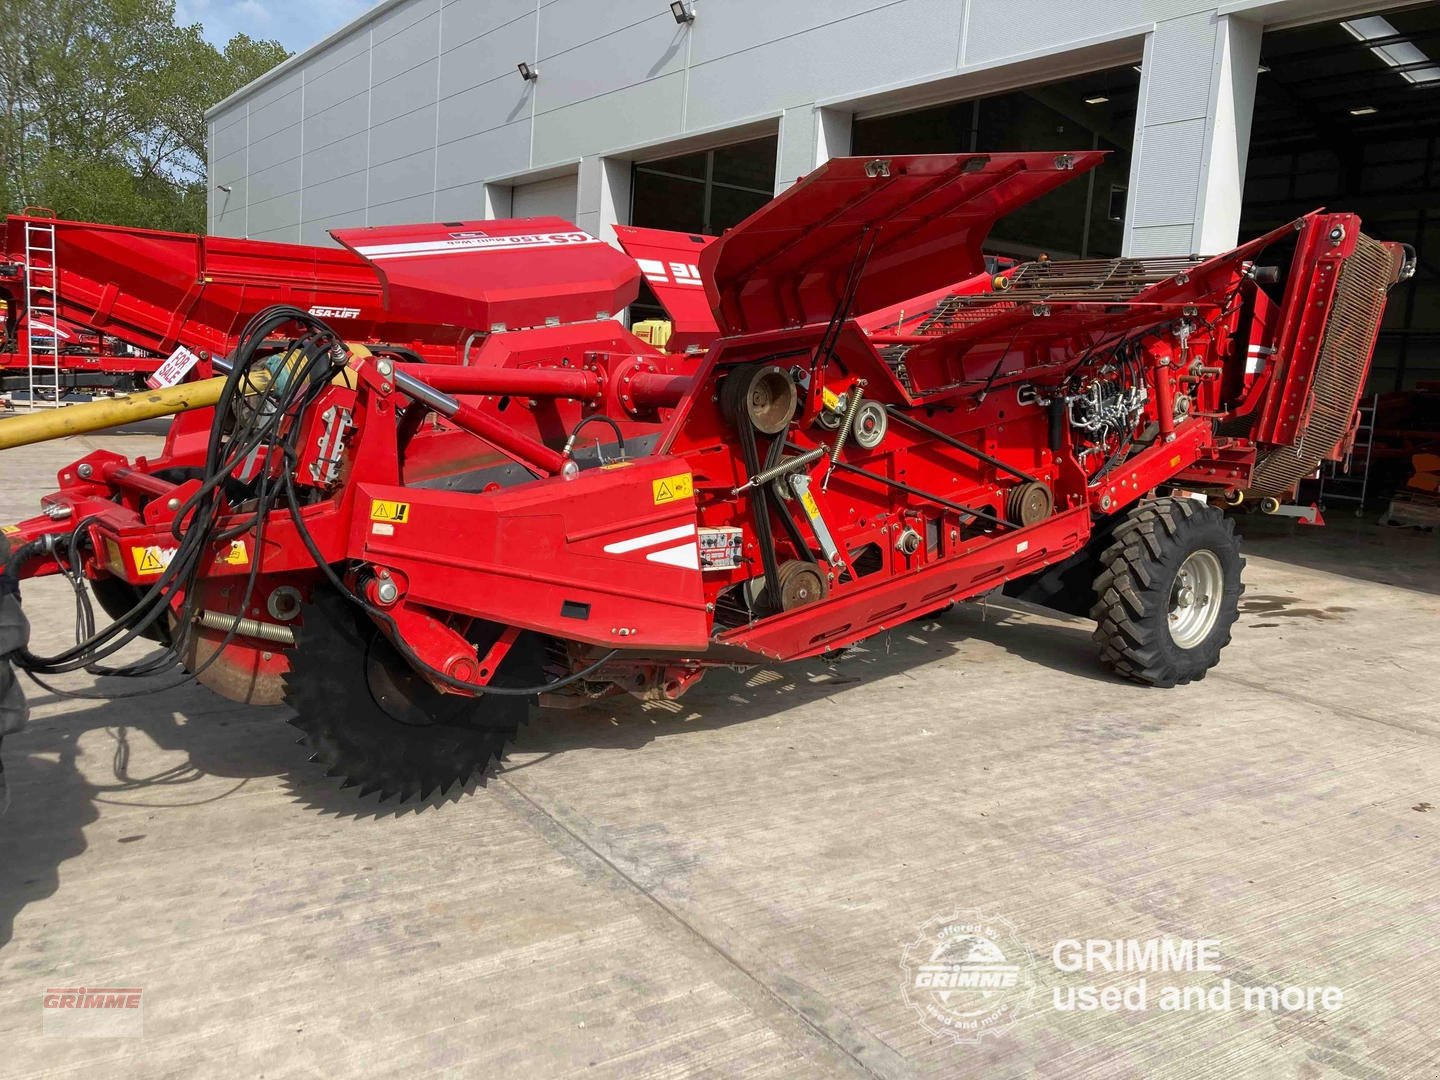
{"x": 621, "y": 74}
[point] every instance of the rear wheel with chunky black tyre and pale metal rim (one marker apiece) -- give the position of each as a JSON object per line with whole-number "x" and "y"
{"x": 1169, "y": 593}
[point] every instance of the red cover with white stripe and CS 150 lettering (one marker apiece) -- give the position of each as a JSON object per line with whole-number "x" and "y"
{"x": 519, "y": 273}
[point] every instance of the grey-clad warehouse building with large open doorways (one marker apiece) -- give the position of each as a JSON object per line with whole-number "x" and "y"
{"x": 1220, "y": 120}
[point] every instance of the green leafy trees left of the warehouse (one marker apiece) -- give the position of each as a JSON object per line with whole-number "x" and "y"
{"x": 103, "y": 109}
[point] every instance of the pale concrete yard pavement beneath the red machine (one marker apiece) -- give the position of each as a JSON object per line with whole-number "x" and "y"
{"x": 725, "y": 886}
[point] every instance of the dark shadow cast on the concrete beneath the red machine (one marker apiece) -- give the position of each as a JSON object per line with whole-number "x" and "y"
{"x": 57, "y": 786}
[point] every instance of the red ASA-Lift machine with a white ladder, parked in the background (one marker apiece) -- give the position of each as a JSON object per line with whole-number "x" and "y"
{"x": 91, "y": 305}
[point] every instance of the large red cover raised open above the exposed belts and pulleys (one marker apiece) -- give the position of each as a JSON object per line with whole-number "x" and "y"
{"x": 921, "y": 217}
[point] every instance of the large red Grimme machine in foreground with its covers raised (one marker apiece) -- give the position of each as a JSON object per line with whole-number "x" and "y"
{"x": 413, "y": 554}
